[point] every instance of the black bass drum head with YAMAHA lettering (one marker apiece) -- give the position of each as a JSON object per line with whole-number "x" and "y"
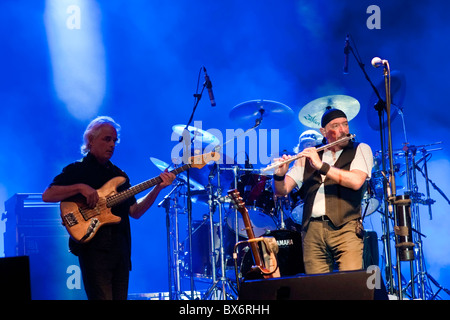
{"x": 289, "y": 257}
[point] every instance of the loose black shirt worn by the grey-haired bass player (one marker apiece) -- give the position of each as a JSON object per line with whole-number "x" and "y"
{"x": 115, "y": 238}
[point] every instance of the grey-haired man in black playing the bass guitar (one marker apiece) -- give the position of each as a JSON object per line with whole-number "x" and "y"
{"x": 105, "y": 261}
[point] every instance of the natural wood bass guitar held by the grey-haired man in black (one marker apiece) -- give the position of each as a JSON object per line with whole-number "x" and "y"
{"x": 82, "y": 222}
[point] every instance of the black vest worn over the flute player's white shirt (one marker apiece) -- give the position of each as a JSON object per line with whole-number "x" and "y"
{"x": 342, "y": 204}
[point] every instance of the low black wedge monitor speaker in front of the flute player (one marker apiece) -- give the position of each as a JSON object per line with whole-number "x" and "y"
{"x": 350, "y": 285}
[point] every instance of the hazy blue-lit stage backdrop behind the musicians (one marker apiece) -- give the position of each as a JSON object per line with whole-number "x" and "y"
{"x": 138, "y": 61}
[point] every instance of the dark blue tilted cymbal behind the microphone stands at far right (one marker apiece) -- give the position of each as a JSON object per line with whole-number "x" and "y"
{"x": 398, "y": 88}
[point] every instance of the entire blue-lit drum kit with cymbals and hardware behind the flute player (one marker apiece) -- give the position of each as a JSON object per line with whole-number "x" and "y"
{"x": 206, "y": 253}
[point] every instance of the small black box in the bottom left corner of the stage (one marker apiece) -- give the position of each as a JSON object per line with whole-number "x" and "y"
{"x": 15, "y": 278}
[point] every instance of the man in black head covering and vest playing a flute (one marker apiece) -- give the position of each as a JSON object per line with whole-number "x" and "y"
{"x": 331, "y": 185}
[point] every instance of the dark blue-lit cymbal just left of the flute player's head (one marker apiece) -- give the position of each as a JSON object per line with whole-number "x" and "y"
{"x": 274, "y": 114}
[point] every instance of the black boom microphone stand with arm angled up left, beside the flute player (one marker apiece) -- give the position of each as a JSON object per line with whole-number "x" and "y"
{"x": 380, "y": 106}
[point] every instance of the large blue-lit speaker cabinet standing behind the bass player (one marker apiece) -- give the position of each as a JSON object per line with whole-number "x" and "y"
{"x": 34, "y": 229}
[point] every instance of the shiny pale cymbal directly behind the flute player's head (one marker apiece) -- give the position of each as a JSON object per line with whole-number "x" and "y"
{"x": 311, "y": 114}
